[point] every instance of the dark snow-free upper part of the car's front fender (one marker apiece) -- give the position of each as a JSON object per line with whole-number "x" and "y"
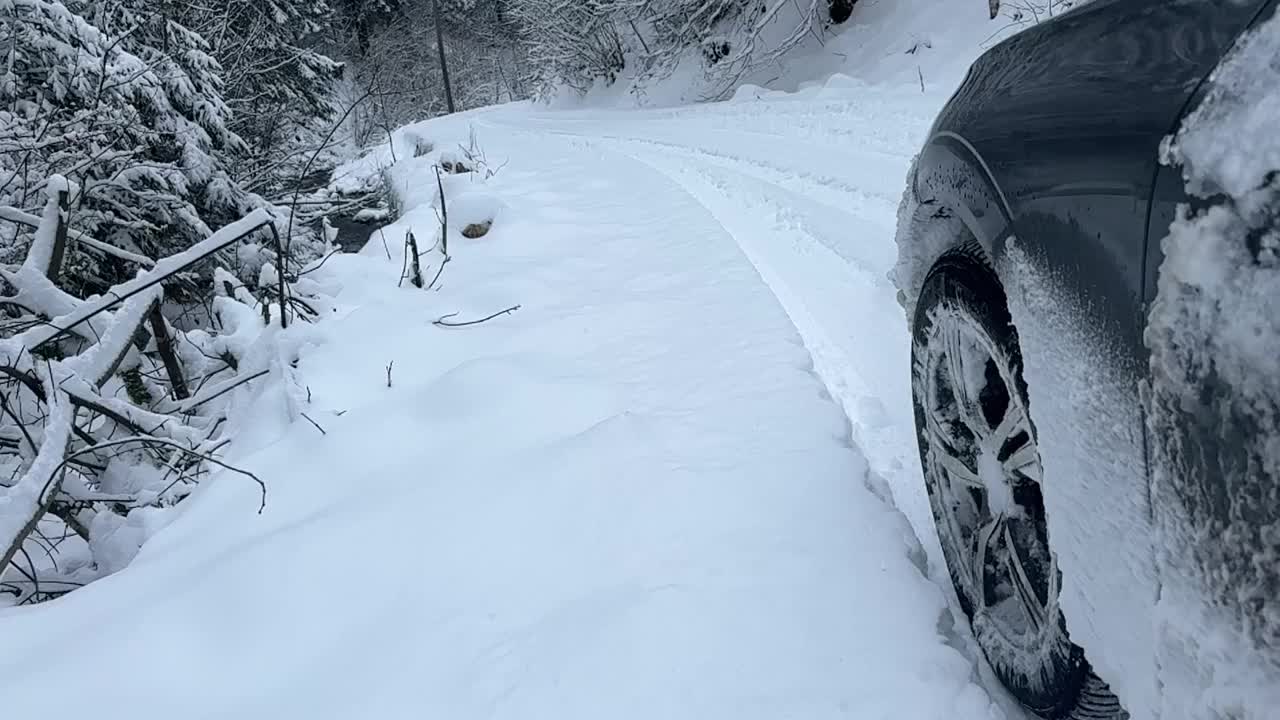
{"x": 1048, "y": 142}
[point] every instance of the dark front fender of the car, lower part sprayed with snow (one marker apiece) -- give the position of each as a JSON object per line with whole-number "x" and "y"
{"x": 1053, "y": 142}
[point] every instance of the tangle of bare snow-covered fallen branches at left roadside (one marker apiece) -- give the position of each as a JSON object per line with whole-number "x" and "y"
{"x": 109, "y": 416}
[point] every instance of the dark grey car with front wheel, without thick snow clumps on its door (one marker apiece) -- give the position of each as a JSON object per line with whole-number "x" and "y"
{"x": 1080, "y": 495}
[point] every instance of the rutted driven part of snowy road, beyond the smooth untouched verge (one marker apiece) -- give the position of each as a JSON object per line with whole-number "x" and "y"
{"x": 808, "y": 189}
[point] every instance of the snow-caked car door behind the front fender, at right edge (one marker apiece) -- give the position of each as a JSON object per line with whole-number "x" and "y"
{"x": 1215, "y": 397}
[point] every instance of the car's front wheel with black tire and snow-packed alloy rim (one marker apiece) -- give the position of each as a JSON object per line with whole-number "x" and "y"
{"x": 984, "y": 476}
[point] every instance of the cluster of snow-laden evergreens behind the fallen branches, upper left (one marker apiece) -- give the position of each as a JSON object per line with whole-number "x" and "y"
{"x": 131, "y": 103}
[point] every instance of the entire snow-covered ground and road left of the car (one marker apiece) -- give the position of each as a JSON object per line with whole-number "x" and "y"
{"x": 669, "y": 486}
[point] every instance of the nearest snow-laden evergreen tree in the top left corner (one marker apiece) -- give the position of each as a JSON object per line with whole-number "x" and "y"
{"x": 130, "y": 106}
